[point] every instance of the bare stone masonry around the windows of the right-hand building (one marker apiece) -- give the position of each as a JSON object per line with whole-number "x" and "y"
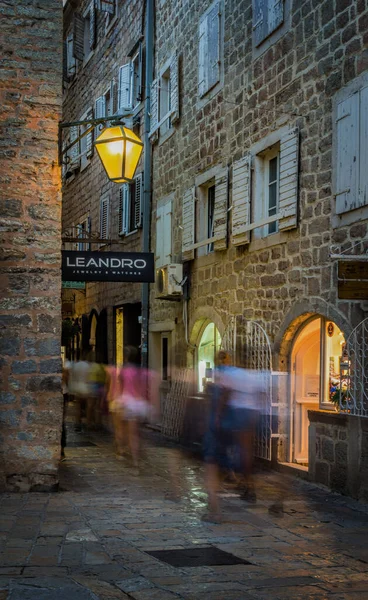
{"x": 292, "y": 82}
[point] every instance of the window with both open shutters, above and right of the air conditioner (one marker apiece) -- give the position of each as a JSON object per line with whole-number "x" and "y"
{"x": 205, "y": 214}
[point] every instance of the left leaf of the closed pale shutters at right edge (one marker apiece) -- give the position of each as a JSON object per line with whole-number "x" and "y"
{"x": 347, "y": 154}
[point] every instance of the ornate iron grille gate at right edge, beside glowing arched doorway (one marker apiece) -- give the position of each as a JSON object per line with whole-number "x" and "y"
{"x": 354, "y": 383}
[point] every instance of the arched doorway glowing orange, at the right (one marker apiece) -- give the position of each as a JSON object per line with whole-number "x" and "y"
{"x": 315, "y": 374}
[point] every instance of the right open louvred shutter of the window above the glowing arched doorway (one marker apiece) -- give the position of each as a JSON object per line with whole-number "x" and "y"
{"x": 289, "y": 179}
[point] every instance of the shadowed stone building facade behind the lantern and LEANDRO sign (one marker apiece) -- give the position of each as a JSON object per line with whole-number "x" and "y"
{"x": 103, "y": 75}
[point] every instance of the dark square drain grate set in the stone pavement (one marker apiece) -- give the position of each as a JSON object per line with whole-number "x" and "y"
{"x": 198, "y": 557}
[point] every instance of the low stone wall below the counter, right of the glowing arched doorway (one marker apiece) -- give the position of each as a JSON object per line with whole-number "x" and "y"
{"x": 338, "y": 452}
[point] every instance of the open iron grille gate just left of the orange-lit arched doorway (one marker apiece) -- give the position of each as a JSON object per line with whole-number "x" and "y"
{"x": 250, "y": 346}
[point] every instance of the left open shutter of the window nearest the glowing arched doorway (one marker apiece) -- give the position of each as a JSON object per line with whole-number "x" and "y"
{"x": 241, "y": 201}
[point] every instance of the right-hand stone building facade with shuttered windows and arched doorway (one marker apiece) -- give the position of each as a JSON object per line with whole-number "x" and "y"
{"x": 259, "y": 167}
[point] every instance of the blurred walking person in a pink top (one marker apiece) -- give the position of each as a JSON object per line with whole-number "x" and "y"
{"x": 138, "y": 398}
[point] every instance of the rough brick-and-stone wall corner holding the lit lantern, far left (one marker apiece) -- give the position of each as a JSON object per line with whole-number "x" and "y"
{"x": 30, "y": 401}
